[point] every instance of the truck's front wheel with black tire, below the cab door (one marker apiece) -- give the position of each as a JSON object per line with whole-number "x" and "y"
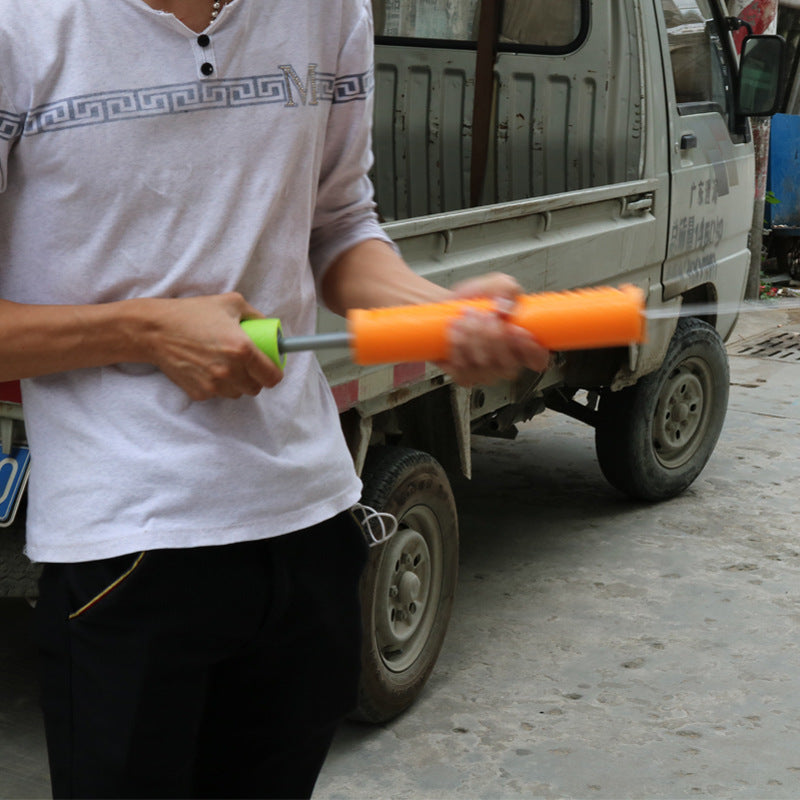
{"x": 654, "y": 438}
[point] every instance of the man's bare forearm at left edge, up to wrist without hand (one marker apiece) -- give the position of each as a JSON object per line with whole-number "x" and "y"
{"x": 43, "y": 339}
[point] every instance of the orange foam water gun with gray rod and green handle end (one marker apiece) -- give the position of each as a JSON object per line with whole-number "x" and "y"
{"x": 579, "y": 319}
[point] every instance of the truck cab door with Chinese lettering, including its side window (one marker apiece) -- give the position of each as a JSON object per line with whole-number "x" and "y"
{"x": 711, "y": 160}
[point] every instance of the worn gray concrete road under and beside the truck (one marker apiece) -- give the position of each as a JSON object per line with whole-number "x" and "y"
{"x": 599, "y": 648}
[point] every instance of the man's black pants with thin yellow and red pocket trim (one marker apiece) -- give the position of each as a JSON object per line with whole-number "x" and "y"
{"x": 206, "y": 672}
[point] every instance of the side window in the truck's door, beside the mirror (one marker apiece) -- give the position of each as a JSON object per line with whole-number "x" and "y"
{"x": 699, "y": 65}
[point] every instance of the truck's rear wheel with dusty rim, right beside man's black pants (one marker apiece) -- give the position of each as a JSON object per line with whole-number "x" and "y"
{"x": 409, "y": 582}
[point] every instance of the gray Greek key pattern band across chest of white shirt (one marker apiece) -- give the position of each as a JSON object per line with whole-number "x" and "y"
{"x": 105, "y": 107}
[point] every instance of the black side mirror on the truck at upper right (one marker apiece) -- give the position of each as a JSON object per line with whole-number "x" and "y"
{"x": 761, "y": 75}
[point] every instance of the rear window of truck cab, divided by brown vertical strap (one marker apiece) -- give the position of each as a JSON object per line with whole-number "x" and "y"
{"x": 540, "y": 24}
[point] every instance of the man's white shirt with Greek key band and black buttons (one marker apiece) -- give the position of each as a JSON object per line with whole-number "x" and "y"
{"x": 140, "y": 159}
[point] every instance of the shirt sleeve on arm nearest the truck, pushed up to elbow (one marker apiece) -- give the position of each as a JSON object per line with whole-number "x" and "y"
{"x": 345, "y": 211}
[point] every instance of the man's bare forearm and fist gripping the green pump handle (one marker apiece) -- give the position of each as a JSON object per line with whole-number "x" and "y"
{"x": 197, "y": 342}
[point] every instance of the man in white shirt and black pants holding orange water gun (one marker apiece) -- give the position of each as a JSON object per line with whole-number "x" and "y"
{"x": 169, "y": 168}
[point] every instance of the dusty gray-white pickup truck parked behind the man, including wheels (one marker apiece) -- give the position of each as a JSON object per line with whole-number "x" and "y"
{"x": 569, "y": 144}
